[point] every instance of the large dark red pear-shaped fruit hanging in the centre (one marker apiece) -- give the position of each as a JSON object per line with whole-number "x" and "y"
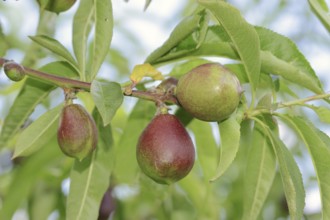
{"x": 165, "y": 151}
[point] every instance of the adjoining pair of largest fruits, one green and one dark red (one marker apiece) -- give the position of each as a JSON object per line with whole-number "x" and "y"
{"x": 165, "y": 151}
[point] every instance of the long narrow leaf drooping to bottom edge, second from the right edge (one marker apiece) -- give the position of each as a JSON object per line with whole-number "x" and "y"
{"x": 291, "y": 178}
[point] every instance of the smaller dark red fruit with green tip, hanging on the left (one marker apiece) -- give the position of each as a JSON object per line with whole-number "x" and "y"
{"x": 77, "y": 133}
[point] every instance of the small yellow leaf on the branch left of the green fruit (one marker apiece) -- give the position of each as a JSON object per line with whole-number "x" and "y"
{"x": 144, "y": 70}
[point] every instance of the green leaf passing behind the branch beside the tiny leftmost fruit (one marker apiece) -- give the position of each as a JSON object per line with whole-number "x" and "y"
{"x": 32, "y": 93}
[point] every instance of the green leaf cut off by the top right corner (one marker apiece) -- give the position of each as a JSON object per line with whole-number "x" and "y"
{"x": 320, "y": 8}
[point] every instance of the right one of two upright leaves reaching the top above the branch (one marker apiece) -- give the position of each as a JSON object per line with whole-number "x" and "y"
{"x": 103, "y": 34}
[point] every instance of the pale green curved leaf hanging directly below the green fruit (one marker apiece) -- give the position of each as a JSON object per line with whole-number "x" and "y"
{"x": 230, "y": 137}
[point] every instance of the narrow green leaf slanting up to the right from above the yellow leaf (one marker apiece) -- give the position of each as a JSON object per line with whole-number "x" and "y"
{"x": 180, "y": 32}
